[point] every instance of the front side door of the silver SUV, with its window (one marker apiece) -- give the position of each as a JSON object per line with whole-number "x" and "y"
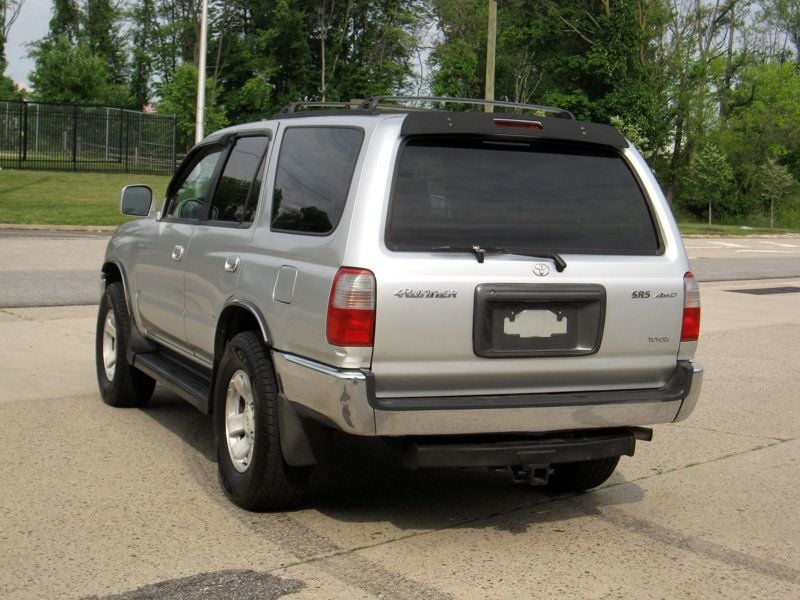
{"x": 159, "y": 281}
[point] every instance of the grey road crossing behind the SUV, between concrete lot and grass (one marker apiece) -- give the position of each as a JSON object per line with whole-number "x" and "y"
{"x": 61, "y": 269}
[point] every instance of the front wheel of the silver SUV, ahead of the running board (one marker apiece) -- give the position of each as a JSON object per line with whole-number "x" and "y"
{"x": 120, "y": 384}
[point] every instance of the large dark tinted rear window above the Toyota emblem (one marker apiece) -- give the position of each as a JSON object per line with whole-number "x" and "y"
{"x": 521, "y": 197}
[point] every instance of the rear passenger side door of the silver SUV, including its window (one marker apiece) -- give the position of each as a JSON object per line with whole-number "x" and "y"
{"x": 217, "y": 253}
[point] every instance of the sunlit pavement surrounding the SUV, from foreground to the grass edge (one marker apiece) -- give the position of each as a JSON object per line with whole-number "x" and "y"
{"x": 102, "y": 502}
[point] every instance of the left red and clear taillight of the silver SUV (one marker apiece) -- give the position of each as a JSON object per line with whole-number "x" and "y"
{"x": 351, "y": 308}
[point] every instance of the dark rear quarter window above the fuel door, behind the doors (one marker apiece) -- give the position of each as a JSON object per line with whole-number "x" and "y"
{"x": 314, "y": 171}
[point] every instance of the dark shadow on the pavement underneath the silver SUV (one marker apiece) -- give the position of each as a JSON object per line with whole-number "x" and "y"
{"x": 365, "y": 482}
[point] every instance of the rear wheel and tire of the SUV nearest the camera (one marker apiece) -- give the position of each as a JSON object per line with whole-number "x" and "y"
{"x": 252, "y": 469}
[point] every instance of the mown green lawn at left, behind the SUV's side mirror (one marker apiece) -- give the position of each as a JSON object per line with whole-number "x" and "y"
{"x": 53, "y": 198}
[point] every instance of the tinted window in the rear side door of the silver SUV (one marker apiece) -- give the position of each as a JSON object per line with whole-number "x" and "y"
{"x": 236, "y": 195}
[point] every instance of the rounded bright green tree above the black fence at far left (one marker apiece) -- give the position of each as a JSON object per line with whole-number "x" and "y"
{"x": 67, "y": 73}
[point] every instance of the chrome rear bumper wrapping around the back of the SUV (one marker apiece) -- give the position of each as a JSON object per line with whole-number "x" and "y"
{"x": 344, "y": 399}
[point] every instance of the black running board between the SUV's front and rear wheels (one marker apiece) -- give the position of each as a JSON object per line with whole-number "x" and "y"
{"x": 189, "y": 380}
